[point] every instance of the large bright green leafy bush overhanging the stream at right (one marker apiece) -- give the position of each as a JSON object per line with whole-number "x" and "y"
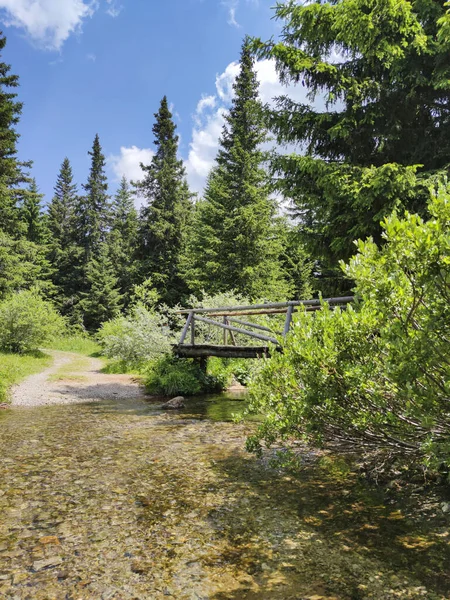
{"x": 378, "y": 374}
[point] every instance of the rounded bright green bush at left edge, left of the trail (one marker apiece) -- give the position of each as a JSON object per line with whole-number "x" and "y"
{"x": 27, "y": 322}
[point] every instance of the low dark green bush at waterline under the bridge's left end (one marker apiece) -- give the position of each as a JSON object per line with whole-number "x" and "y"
{"x": 169, "y": 376}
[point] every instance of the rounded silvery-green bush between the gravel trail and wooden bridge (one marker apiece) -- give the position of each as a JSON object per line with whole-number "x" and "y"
{"x": 137, "y": 338}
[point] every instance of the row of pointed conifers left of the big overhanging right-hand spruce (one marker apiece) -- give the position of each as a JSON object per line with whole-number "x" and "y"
{"x": 87, "y": 252}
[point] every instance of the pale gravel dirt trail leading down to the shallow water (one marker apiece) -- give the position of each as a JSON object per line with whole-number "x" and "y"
{"x": 73, "y": 378}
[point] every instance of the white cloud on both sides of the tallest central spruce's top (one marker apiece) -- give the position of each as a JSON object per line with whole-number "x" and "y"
{"x": 209, "y": 116}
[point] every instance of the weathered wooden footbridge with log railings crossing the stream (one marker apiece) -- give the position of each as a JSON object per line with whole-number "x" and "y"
{"x": 229, "y": 319}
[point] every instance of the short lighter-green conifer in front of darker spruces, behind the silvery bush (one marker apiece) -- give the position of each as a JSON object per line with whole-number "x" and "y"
{"x": 102, "y": 299}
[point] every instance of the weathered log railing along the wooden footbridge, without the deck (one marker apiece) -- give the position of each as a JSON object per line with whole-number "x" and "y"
{"x": 228, "y": 321}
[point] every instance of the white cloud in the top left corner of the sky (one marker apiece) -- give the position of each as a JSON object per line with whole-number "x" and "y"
{"x": 48, "y": 23}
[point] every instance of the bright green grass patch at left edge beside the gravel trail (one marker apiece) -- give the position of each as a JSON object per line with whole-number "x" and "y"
{"x": 15, "y": 367}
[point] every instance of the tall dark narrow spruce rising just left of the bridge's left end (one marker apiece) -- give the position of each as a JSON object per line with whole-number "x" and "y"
{"x": 165, "y": 215}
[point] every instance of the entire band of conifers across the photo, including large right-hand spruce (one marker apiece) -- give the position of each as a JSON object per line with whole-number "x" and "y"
{"x": 373, "y": 137}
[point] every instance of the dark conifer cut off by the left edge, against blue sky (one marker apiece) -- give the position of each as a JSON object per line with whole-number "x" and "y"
{"x": 11, "y": 170}
